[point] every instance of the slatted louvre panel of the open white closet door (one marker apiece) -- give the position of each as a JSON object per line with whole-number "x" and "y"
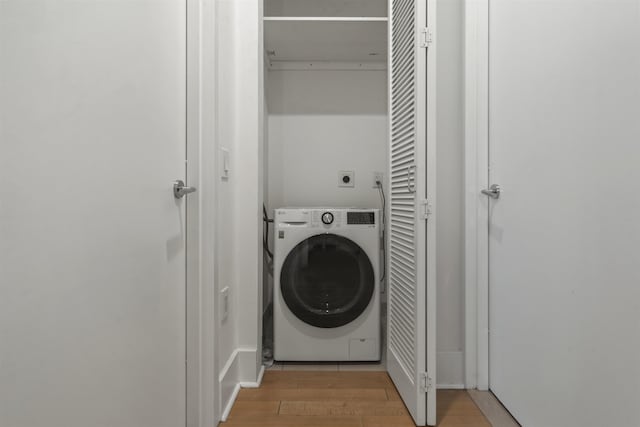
{"x": 403, "y": 153}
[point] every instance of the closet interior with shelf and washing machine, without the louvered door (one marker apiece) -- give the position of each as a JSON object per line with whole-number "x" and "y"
{"x": 325, "y": 167}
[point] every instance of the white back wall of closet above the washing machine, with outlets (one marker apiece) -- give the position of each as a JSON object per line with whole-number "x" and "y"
{"x": 320, "y": 123}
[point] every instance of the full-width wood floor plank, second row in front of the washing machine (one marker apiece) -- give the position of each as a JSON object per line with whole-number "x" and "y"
{"x": 313, "y": 394}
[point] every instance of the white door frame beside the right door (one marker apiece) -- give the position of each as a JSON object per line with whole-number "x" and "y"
{"x": 476, "y": 205}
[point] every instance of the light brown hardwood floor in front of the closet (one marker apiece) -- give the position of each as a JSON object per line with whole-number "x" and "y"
{"x": 340, "y": 399}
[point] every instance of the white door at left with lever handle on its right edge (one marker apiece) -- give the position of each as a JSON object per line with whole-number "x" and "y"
{"x": 92, "y": 248}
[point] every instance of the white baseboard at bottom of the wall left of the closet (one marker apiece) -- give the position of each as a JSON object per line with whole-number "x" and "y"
{"x": 240, "y": 370}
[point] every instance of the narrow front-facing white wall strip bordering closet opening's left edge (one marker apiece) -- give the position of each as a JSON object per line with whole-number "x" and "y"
{"x": 247, "y": 177}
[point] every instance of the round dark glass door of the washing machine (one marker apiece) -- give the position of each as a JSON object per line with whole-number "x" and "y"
{"x": 327, "y": 281}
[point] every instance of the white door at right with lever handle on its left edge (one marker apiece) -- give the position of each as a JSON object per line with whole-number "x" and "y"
{"x": 564, "y": 235}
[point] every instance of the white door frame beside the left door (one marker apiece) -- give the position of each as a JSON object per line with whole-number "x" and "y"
{"x": 202, "y": 388}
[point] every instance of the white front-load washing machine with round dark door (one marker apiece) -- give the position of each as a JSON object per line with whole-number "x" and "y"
{"x": 327, "y": 284}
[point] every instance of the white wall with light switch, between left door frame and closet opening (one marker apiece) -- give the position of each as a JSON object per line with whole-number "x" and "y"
{"x": 239, "y": 253}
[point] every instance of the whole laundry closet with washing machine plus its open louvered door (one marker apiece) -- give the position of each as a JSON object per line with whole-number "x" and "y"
{"x": 348, "y": 168}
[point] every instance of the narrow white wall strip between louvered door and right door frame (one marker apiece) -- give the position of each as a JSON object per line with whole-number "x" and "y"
{"x": 450, "y": 206}
